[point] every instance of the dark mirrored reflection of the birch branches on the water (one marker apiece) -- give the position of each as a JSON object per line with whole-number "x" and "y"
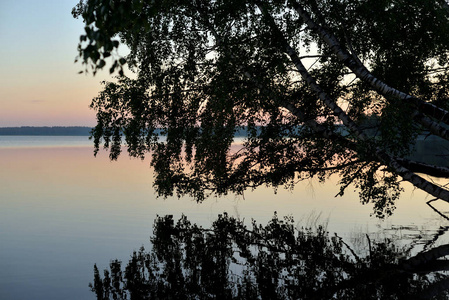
{"x": 276, "y": 261}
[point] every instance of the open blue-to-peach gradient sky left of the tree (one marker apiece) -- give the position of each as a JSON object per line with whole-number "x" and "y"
{"x": 39, "y": 81}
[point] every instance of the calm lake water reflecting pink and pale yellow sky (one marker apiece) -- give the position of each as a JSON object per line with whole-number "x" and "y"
{"x": 62, "y": 210}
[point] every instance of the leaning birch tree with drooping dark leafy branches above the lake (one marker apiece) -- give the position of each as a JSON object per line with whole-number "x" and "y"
{"x": 317, "y": 88}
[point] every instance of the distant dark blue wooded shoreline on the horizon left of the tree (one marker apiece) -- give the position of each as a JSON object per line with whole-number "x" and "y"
{"x": 47, "y": 130}
